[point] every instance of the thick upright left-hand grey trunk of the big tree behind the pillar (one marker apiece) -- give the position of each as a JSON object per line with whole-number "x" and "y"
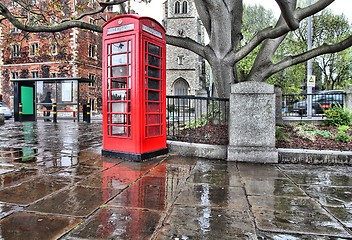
{"x": 223, "y": 22}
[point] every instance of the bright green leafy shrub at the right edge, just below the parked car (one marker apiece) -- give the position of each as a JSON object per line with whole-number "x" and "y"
{"x": 337, "y": 116}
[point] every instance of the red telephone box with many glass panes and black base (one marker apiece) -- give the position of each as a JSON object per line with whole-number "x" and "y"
{"x": 134, "y": 88}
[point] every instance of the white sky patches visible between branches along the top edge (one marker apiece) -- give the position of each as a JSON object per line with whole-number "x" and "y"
{"x": 155, "y": 8}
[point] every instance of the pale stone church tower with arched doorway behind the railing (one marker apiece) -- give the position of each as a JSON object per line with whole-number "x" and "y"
{"x": 185, "y": 73}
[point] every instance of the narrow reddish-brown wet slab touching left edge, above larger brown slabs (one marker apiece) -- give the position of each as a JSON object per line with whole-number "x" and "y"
{"x": 15, "y": 177}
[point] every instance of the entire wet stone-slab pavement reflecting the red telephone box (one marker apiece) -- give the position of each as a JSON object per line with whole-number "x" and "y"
{"x": 54, "y": 184}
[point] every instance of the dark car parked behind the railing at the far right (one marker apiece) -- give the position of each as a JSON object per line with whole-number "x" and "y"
{"x": 321, "y": 101}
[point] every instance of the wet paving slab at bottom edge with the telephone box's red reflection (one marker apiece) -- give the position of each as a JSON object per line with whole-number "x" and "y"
{"x": 119, "y": 223}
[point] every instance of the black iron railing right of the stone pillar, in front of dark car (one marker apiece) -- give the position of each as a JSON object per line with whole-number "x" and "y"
{"x": 296, "y": 104}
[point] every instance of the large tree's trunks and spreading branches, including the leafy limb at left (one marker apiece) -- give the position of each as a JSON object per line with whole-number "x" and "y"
{"x": 223, "y": 21}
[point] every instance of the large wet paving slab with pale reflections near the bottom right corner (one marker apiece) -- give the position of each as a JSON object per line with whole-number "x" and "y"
{"x": 284, "y": 214}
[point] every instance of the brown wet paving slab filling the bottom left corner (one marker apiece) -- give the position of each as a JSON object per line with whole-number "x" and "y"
{"x": 25, "y": 225}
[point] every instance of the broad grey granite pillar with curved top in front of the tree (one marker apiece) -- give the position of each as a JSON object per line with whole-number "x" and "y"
{"x": 252, "y": 123}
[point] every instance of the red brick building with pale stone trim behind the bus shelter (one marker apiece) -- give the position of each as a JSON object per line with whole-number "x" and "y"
{"x": 71, "y": 53}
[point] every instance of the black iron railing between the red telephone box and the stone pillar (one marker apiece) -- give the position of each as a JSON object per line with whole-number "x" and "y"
{"x": 197, "y": 119}
